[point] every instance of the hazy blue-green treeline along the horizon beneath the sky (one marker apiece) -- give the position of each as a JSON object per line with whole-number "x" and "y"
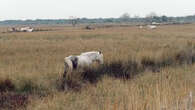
{"x": 123, "y": 19}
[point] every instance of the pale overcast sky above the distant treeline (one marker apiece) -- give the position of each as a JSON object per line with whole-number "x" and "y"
{"x": 60, "y": 9}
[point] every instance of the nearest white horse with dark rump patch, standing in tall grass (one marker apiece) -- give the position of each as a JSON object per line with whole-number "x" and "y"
{"x": 81, "y": 61}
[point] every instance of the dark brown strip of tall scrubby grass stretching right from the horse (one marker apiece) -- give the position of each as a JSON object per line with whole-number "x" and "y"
{"x": 129, "y": 68}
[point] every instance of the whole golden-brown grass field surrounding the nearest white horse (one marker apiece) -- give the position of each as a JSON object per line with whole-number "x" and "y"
{"x": 31, "y": 65}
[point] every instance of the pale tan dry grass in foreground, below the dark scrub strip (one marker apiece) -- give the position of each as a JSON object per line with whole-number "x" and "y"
{"x": 154, "y": 91}
